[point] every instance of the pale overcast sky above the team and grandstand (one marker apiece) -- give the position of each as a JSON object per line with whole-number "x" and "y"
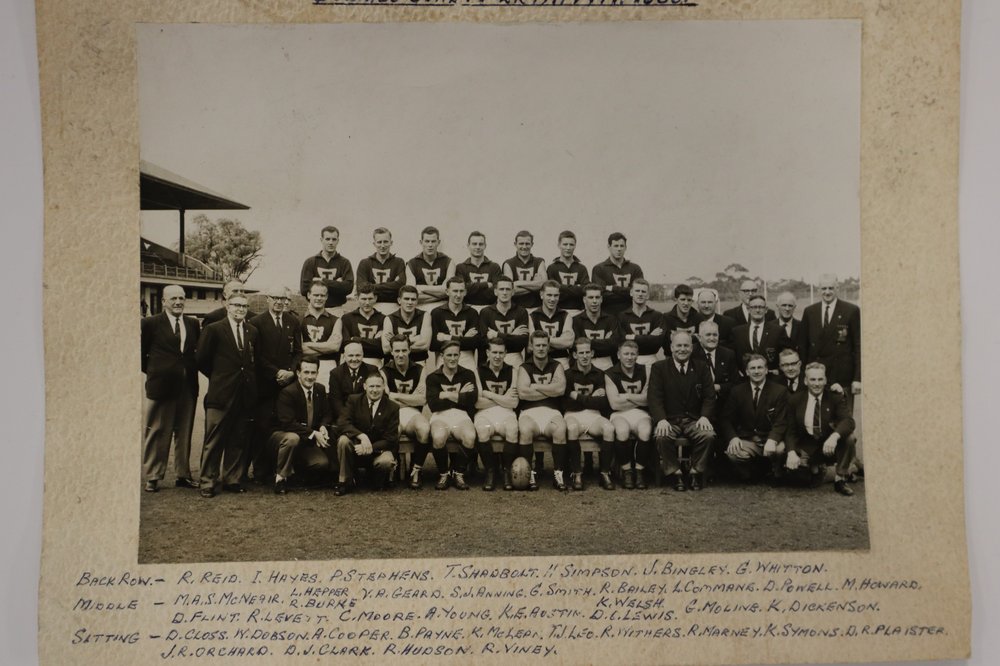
{"x": 705, "y": 143}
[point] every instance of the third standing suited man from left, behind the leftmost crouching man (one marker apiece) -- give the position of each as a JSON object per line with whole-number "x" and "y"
{"x": 278, "y": 353}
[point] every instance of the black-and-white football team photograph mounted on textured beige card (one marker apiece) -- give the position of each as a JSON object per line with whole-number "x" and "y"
{"x": 415, "y": 290}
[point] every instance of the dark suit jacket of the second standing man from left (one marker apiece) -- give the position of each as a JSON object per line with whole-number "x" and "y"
{"x": 231, "y": 372}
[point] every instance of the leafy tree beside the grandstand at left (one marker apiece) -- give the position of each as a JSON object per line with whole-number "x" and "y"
{"x": 226, "y": 246}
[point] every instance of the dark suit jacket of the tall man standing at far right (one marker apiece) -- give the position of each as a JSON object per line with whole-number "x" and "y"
{"x": 838, "y": 346}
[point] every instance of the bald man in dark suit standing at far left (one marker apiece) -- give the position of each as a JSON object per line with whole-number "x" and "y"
{"x": 168, "y": 342}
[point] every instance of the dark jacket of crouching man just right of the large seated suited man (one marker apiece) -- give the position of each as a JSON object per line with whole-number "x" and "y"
{"x": 768, "y": 420}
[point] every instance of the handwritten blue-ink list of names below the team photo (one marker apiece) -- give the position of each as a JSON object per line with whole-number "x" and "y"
{"x": 468, "y": 609}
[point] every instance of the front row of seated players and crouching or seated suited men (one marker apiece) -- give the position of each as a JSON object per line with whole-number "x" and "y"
{"x": 625, "y": 410}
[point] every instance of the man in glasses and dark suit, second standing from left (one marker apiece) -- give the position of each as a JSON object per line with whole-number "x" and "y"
{"x": 227, "y": 353}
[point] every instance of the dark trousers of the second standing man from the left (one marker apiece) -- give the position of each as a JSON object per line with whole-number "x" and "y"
{"x": 226, "y": 433}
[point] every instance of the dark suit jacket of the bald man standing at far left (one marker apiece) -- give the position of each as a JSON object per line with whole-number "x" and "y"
{"x": 169, "y": 370}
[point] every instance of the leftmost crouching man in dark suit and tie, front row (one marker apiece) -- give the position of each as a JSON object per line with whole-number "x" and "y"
{"x": 303, "y": 427}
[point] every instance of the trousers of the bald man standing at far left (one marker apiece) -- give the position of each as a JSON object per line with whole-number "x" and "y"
{"x": 166, "y": 420}
